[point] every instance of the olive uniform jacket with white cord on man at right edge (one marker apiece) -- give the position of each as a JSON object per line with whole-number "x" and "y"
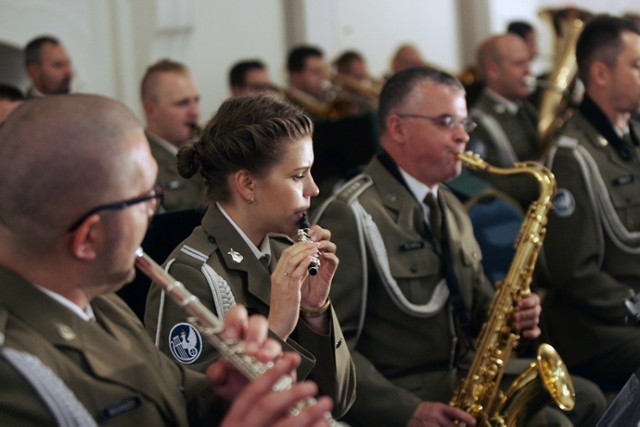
{"x": 592, "y": 243}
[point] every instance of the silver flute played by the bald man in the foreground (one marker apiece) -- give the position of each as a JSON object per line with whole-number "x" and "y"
{"x": 211, "y": 327}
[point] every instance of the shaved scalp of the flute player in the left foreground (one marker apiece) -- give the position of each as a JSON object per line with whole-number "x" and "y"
{"x": 59, "y": 156}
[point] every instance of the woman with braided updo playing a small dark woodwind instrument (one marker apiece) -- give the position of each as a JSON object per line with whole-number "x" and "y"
{"x": 256, "y": 155}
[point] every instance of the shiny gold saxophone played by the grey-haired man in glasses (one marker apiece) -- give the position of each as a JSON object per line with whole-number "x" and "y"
{"x": 547, "y": 378}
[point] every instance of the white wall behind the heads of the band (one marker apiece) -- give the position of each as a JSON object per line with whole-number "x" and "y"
{"x": 112, "y": 41}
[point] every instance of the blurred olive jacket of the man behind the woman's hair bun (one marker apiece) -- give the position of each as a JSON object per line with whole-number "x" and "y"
{"x": 179, "y": 193}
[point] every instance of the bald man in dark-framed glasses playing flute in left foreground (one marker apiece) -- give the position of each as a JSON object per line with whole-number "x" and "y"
{"x": 71, "y": 352}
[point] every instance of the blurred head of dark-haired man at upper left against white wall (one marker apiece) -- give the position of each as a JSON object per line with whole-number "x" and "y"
{"x": 49, "y": 67}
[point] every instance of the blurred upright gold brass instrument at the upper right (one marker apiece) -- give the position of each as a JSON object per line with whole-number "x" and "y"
{"x": 557, "y": 106}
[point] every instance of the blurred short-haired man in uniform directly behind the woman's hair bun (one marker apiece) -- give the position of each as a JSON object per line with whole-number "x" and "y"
{"x": 170, "y": 102}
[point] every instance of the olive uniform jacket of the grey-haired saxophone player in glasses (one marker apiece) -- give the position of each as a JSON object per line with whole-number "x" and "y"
{"x": 401, "y": 358}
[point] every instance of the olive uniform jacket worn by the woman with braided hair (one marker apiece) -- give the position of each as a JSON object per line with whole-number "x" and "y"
{"x": 218, "y": 267}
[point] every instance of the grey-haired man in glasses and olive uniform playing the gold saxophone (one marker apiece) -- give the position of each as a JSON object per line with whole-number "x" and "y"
{"x": 413, "y": 294}
